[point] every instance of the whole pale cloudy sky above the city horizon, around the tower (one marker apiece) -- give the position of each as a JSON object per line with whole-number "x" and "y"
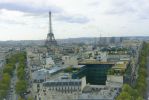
{"x": 28, "y": 19}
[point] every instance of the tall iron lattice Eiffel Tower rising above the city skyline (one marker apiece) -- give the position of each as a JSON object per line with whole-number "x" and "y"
{"x": 50, "y": 41}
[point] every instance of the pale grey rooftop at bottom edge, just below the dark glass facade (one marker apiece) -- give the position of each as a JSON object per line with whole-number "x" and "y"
{"x": 97, "y": 92}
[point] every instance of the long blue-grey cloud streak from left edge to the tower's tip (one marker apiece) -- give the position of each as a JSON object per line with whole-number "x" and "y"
{"x": 28, "y": 8}
